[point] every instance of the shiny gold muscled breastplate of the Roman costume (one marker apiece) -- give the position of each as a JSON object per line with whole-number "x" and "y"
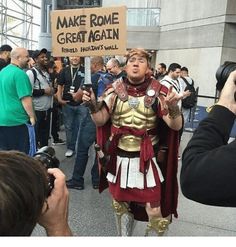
{"x": 134, "y": 114}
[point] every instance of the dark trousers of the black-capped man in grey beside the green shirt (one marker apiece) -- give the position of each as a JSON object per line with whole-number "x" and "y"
{"x": 42, "y": 127}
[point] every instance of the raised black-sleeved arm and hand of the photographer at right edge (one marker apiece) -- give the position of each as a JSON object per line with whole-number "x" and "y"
{"x": 209, "y": 162}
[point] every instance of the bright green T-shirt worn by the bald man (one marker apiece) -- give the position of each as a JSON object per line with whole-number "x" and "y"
{"x": 14, "y": 85}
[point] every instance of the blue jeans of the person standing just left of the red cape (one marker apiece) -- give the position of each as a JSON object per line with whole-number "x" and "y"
{"x": 86, "y": 137}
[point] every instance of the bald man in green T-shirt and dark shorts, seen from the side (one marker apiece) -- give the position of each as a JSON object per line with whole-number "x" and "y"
{"x": 16, "y": 106}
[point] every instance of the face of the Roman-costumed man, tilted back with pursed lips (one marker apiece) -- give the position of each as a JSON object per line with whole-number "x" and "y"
{"x": 136, "y": 68}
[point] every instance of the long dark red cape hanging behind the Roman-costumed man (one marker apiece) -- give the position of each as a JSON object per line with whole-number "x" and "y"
{"x": 169, "y": 188}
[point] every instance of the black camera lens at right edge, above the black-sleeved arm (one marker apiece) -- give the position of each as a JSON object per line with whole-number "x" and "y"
{"x": 223, "y": 72}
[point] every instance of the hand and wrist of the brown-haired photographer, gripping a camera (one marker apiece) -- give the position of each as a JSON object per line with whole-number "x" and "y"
{"x": 54, "y": 216}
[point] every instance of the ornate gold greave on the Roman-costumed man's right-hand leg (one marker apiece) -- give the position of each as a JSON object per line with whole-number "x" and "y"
{"x": 158, "y": 225}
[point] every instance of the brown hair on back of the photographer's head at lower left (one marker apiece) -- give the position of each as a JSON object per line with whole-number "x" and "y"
{"x": 23, "y": 191}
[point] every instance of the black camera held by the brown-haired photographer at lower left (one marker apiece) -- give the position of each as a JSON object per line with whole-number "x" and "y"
{"x": 47, "y": 157}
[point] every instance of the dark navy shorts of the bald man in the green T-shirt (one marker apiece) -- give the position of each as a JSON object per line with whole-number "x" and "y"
{"x": 14, "y": 138}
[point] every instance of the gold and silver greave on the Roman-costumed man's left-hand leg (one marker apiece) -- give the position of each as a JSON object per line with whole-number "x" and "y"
{"x": 124, "y": 219}
